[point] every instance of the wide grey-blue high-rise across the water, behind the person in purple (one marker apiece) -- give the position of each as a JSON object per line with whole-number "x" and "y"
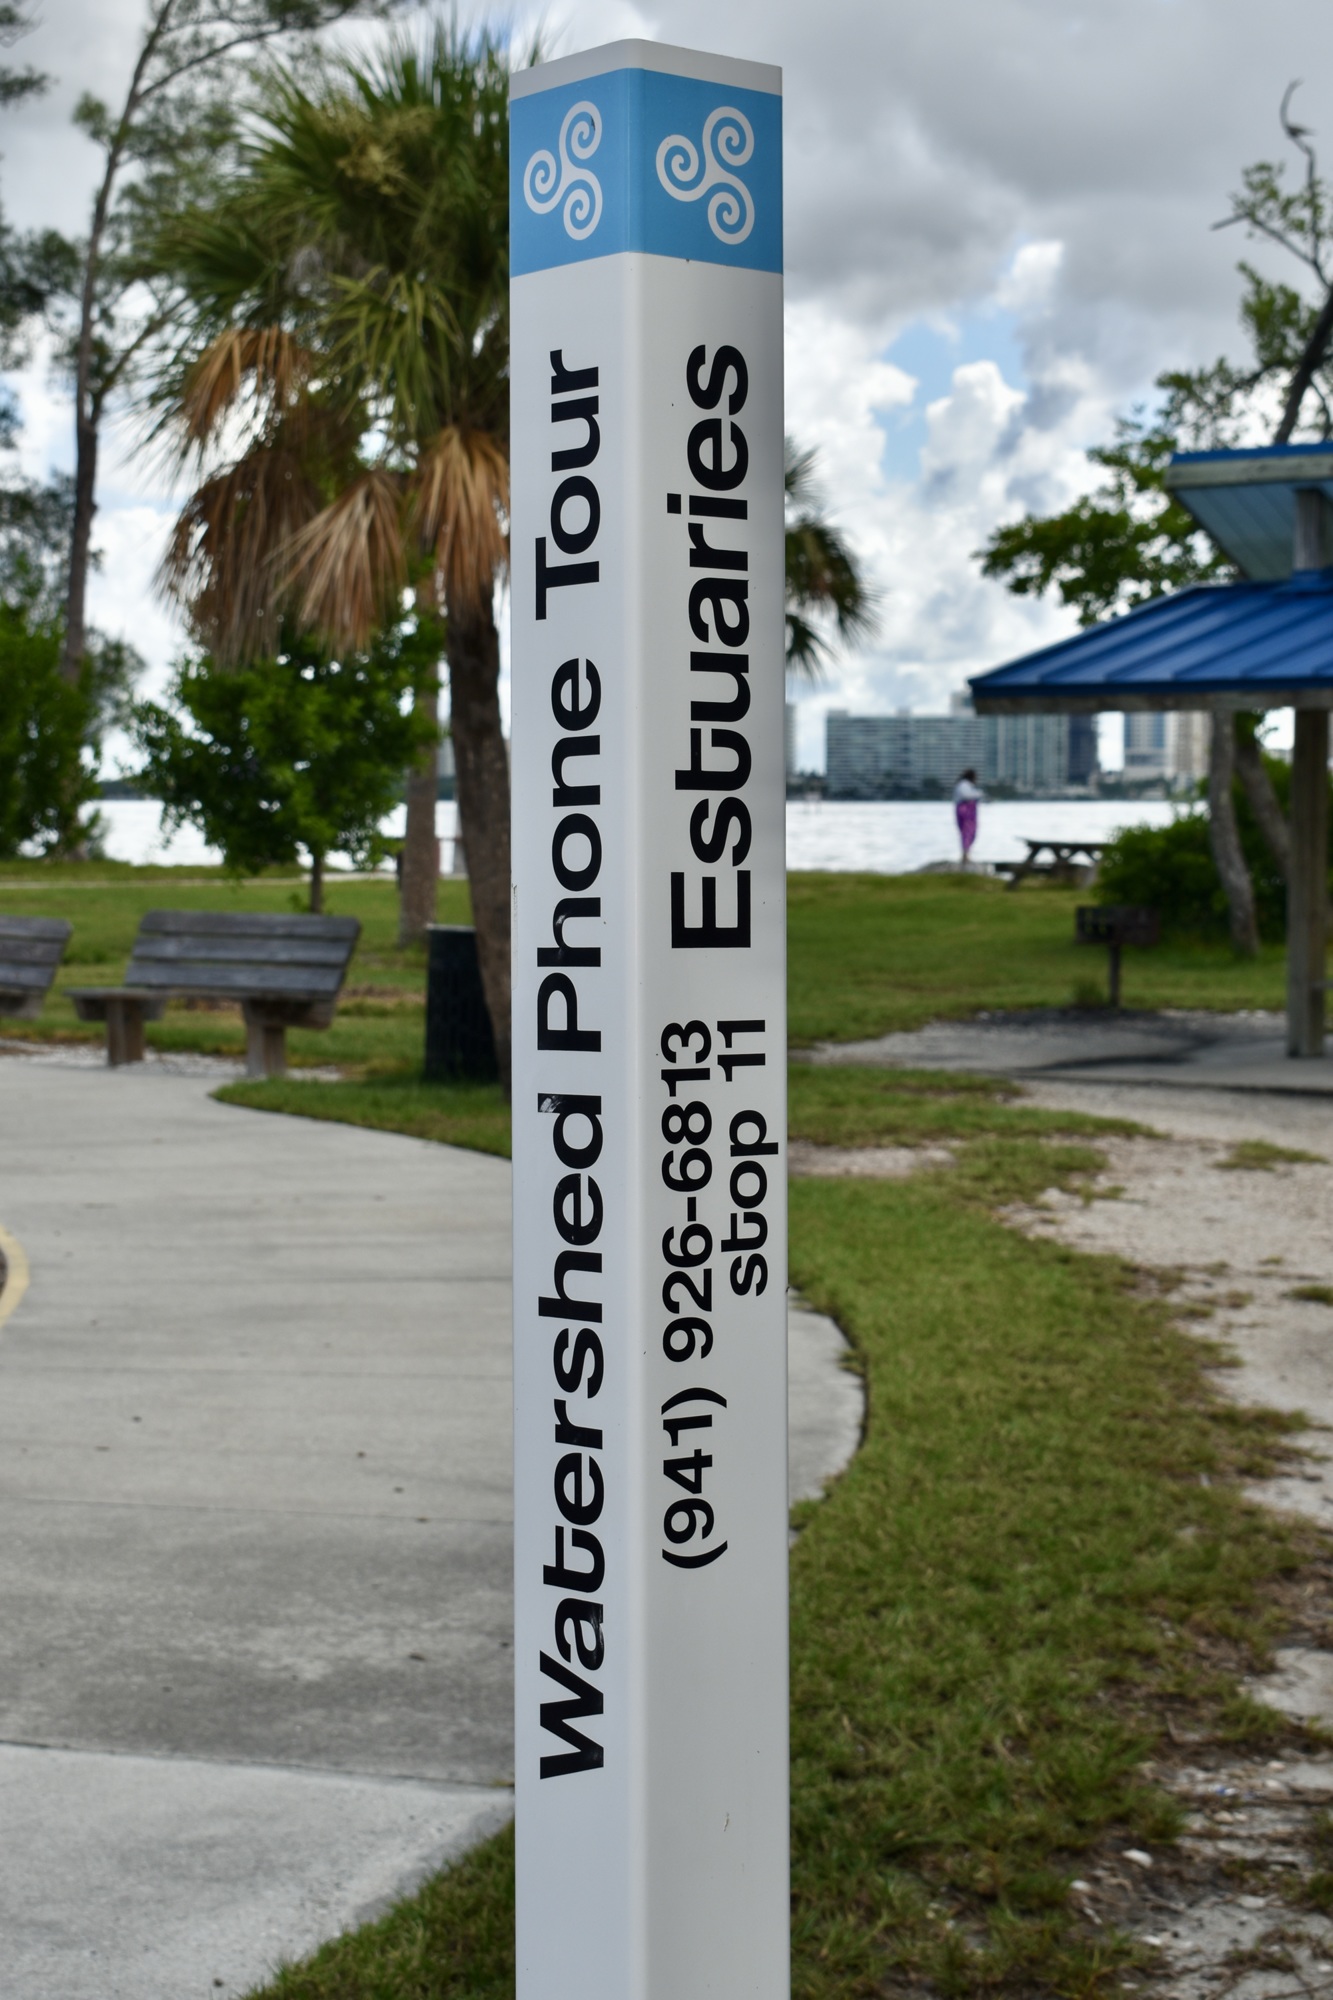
{"x": 912, "y": 757}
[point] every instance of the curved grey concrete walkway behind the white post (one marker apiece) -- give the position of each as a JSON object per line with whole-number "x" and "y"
{"x": 255, "y": 1527}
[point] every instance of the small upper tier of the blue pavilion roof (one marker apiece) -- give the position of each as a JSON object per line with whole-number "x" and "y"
{"x": 1246, "y": 501}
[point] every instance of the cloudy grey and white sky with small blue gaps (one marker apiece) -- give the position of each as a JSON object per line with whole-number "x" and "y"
{"x": 998, "y": 233}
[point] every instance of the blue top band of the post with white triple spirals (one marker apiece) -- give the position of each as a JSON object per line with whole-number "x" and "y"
{"x": 643, "y": 159}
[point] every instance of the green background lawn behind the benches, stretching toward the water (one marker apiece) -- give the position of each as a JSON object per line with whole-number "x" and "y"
{"x": 868, "y": 955}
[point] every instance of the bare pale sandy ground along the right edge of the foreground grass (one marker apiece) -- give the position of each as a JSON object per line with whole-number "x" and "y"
{"x": 1242, "y": 1241}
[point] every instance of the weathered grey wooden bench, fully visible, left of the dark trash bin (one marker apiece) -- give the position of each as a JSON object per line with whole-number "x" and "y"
{"x": 285, "y": 971}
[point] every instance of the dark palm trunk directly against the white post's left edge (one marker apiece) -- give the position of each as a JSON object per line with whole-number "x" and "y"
{"x": 483, "y": 803}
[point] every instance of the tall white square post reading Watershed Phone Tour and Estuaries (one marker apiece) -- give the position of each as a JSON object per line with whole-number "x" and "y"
{"x": 649, "y": 1029}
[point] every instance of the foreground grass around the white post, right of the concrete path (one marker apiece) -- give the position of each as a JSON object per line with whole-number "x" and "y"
{"x": 1040, "y": 1559}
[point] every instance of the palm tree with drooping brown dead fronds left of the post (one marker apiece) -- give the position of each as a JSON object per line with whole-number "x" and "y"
{"x": 341, "y": 385}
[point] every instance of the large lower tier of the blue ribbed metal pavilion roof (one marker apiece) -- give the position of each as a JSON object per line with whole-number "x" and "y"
{"x": 1214, "y": 645}
